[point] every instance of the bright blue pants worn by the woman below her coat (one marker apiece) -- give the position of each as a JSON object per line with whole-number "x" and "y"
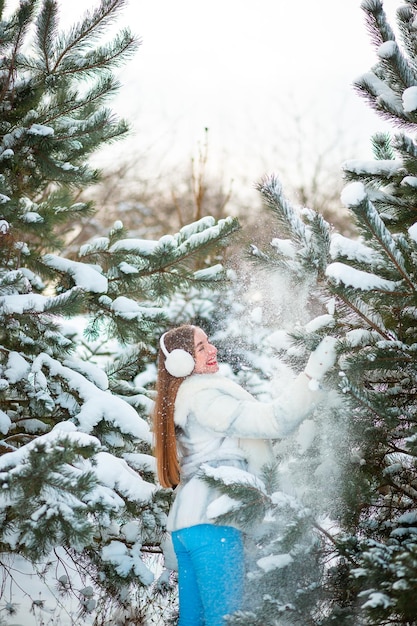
{"x": 210, "y": 573}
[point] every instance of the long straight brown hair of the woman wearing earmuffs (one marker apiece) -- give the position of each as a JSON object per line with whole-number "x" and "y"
{"x": 163, "y": 415}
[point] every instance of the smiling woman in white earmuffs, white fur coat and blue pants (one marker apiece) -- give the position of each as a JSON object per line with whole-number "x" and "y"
{"x": 201, "y": 417}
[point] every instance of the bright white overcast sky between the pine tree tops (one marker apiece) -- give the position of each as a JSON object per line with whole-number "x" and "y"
{"x": 257, "y": 73}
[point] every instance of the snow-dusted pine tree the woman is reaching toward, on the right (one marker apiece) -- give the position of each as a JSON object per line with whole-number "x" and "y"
{"x": 360, "y": 566}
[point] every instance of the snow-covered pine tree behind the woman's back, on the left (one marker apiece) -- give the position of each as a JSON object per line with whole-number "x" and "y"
{"x": 76, "y": 467}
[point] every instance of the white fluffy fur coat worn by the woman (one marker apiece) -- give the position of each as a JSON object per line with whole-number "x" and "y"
{"x": 219, "y": 423}
